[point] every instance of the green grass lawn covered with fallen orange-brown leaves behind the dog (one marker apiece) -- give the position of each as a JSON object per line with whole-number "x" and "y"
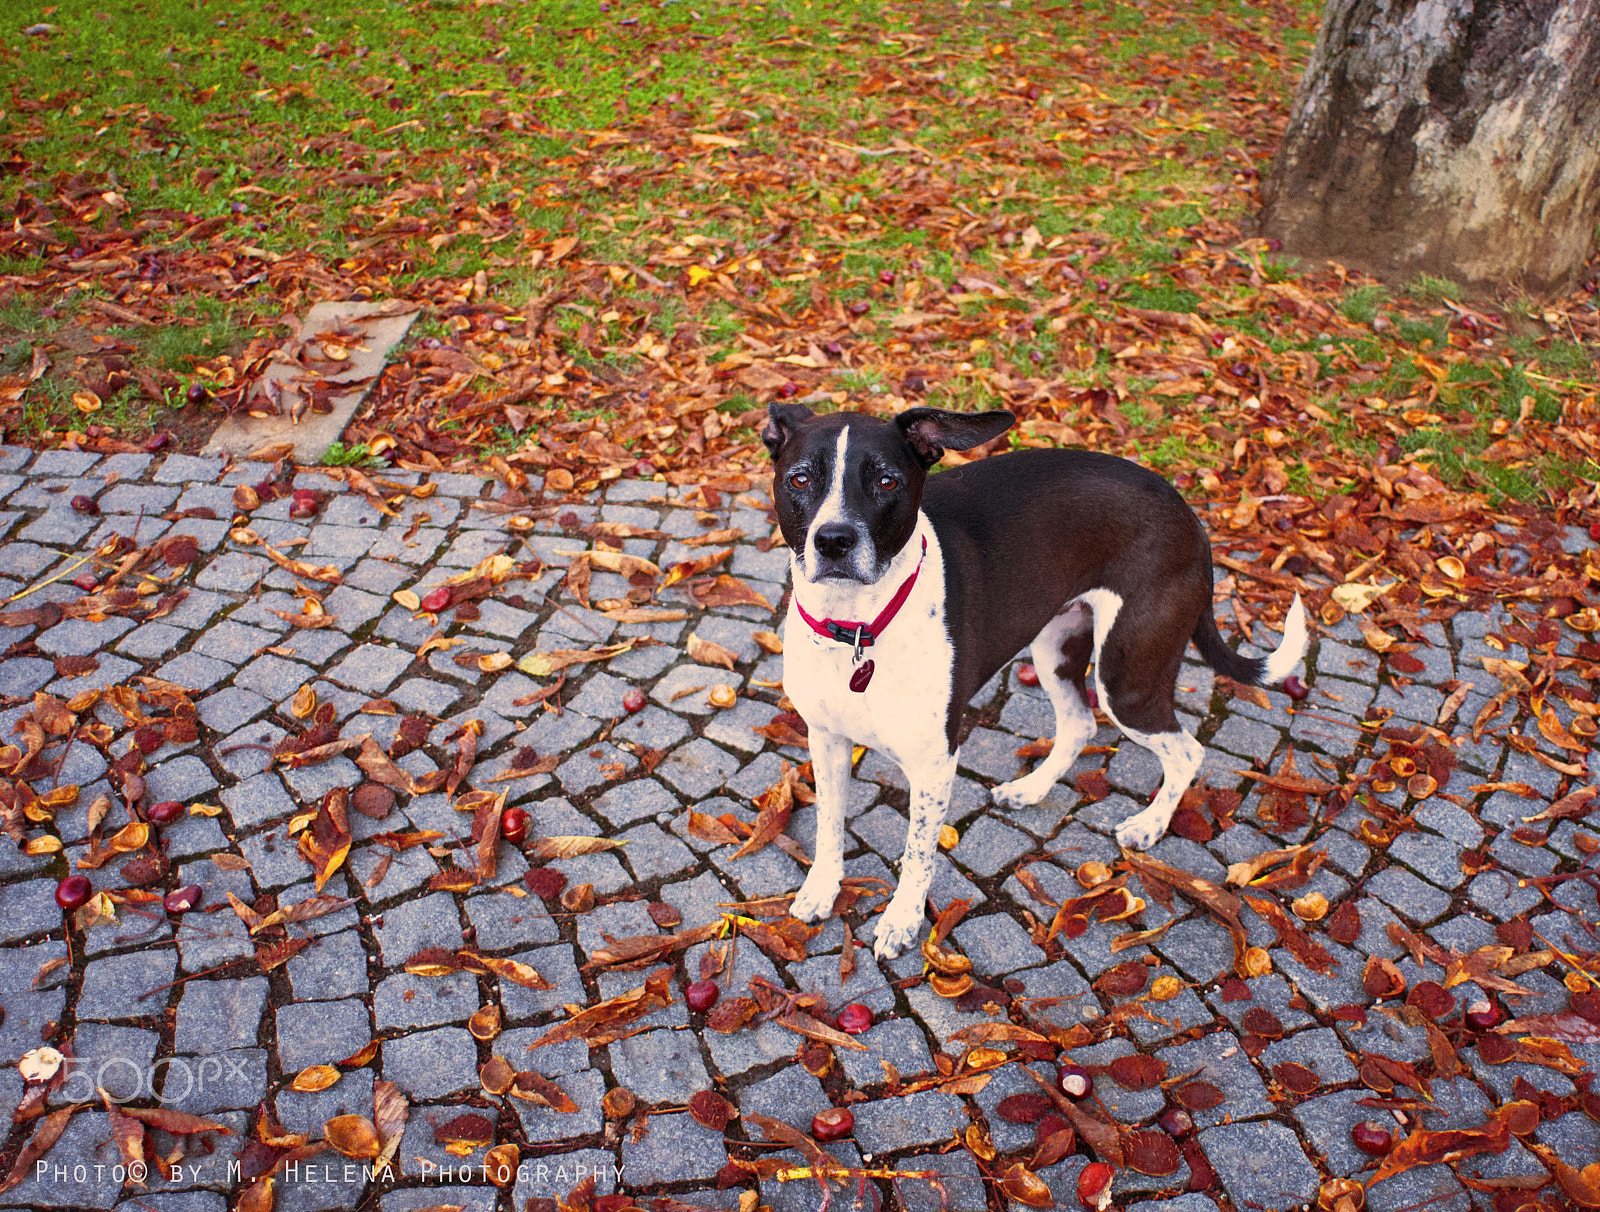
{"x": 642, "y": 221}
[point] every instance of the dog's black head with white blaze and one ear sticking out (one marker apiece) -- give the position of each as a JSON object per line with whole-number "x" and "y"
{"x": 847, "y": 487}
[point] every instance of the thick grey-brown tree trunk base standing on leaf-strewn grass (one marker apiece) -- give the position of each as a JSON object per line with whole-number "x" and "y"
{"x": 1458, "y": 138}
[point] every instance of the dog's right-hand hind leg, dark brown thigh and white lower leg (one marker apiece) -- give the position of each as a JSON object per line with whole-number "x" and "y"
{"x": 1138, "y": 676}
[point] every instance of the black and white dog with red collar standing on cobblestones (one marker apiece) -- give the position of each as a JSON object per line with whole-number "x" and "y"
{"x": 911, "y": 592}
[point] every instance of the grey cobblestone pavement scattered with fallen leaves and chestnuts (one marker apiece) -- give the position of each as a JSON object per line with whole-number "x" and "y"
{"x": 228, "y": 1039}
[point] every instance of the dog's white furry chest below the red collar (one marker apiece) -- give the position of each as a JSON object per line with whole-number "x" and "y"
{"x": 903, "y": 708}
